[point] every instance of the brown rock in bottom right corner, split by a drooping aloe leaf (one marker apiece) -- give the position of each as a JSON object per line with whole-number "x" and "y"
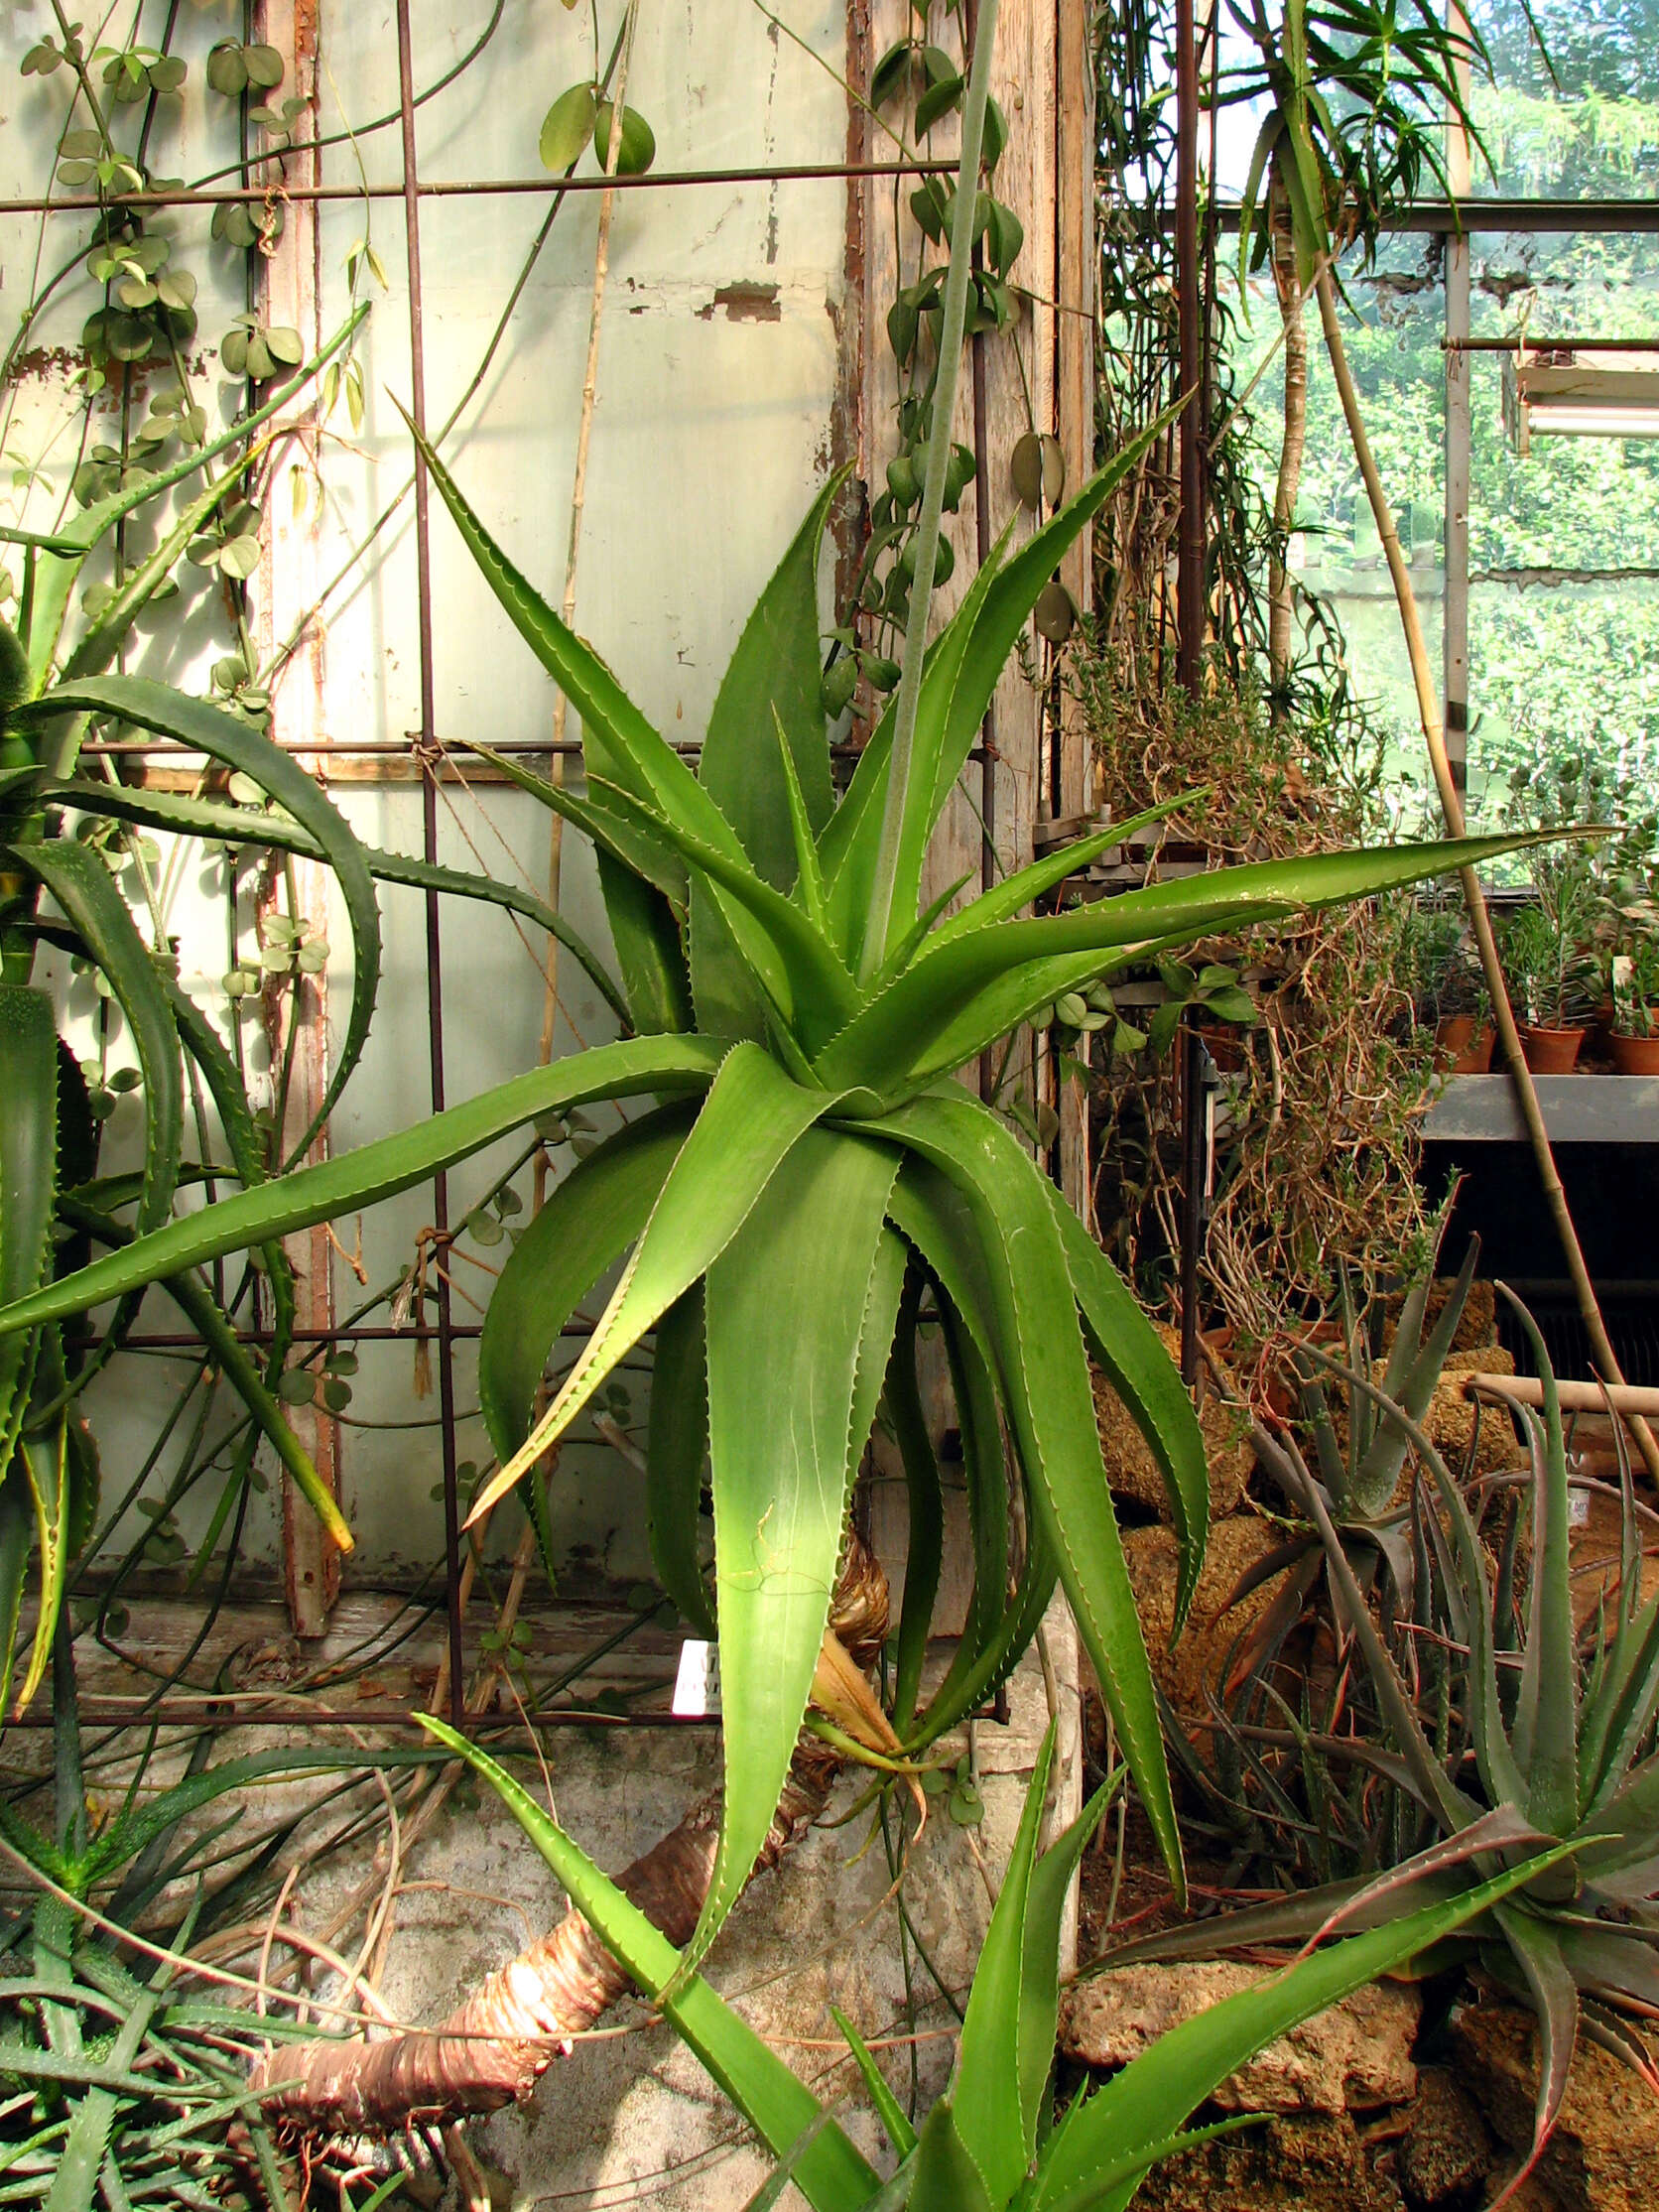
{"x": 1605, "y": 2153}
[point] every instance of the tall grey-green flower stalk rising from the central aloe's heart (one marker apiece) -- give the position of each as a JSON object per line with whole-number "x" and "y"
{"x": 939, "y": 452}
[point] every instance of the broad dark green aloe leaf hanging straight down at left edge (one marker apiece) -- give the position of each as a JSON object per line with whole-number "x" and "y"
{"x": 28, "y": 1178}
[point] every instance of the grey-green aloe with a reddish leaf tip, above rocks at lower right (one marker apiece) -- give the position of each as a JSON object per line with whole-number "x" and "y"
{"x": 1536, "y": 1722}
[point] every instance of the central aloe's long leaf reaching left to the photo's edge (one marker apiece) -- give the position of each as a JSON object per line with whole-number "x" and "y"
{"x": 377, "y": 1171}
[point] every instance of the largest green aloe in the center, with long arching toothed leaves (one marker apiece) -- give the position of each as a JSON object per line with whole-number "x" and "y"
{"x": 786, "y": 990}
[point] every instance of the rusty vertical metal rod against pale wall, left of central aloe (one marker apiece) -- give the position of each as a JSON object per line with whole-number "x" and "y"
{"x": 430, "y": 837}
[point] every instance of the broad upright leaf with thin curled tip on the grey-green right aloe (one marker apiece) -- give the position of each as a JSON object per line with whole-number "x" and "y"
{"x": 1547, "y": 1711}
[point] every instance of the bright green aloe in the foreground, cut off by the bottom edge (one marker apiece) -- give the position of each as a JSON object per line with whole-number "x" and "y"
{"x": 988, "y": 2145}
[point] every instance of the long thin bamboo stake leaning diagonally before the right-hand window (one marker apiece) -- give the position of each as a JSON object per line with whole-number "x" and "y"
{"x": 1474, "y": 895}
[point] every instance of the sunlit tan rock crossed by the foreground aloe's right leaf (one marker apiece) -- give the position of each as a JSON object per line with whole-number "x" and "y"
{"x": 1355, "y": 2056}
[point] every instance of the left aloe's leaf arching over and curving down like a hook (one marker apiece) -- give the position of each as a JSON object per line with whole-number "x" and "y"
{"x": 225, "y": 738}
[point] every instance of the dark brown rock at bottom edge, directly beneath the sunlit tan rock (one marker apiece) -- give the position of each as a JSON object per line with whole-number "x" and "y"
{"x": 1297, "y": 2164}
